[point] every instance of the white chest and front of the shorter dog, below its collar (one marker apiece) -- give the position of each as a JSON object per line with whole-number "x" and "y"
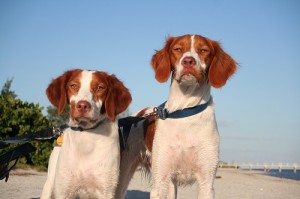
{"x": 88, "y": 163}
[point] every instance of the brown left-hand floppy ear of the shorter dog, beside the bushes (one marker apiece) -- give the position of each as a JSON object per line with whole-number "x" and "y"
{"x": 56, "y": 91}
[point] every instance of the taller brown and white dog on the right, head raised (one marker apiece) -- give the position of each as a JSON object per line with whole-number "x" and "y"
{"x": 182, "y": 150}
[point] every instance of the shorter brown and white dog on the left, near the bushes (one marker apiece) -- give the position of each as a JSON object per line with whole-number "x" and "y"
{"x": 87, "y": 163}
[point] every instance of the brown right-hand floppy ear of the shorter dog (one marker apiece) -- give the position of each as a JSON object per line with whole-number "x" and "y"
{"x": 118, "y": 98}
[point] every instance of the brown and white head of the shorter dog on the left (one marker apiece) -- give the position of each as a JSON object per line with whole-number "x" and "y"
{"x": 91, "y": 95}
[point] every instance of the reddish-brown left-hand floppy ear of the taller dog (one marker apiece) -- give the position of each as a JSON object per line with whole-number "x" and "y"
{"x": 161, "y": 63}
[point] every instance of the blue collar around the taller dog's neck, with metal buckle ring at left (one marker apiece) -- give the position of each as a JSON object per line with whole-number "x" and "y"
{"x": 163, "y": 113}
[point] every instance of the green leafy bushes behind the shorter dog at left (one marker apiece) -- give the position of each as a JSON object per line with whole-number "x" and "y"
{"x": 18, "y": 118}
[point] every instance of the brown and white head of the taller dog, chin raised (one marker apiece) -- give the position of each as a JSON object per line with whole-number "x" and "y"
{"x": 193, "y": 58}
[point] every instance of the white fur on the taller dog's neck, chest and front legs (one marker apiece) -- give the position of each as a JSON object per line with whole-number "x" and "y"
{"x": 185, "y": 150}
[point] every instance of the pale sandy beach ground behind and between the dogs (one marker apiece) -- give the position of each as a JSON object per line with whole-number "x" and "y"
{"x": 231, "y": 184}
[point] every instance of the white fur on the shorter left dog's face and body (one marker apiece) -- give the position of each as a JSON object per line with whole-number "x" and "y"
{"x": 87, "y": 163}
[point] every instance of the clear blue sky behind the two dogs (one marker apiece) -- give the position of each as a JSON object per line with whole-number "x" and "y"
{"x": 257, "y": 111}
